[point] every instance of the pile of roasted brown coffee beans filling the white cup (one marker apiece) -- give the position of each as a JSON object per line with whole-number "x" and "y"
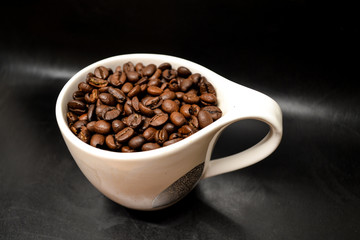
{"x": 139, "y": 108}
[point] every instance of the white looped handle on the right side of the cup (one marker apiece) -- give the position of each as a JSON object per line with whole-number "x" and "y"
{"x": 248, "y": 104}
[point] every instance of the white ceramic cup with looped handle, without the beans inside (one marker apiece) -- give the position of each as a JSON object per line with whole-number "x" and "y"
{"x": 158, "y": 178}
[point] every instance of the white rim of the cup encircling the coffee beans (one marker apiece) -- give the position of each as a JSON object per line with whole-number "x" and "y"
{"x": 142, "y": 155}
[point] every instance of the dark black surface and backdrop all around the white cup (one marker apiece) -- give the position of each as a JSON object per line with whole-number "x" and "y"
{"x": 304, "y": 54}
